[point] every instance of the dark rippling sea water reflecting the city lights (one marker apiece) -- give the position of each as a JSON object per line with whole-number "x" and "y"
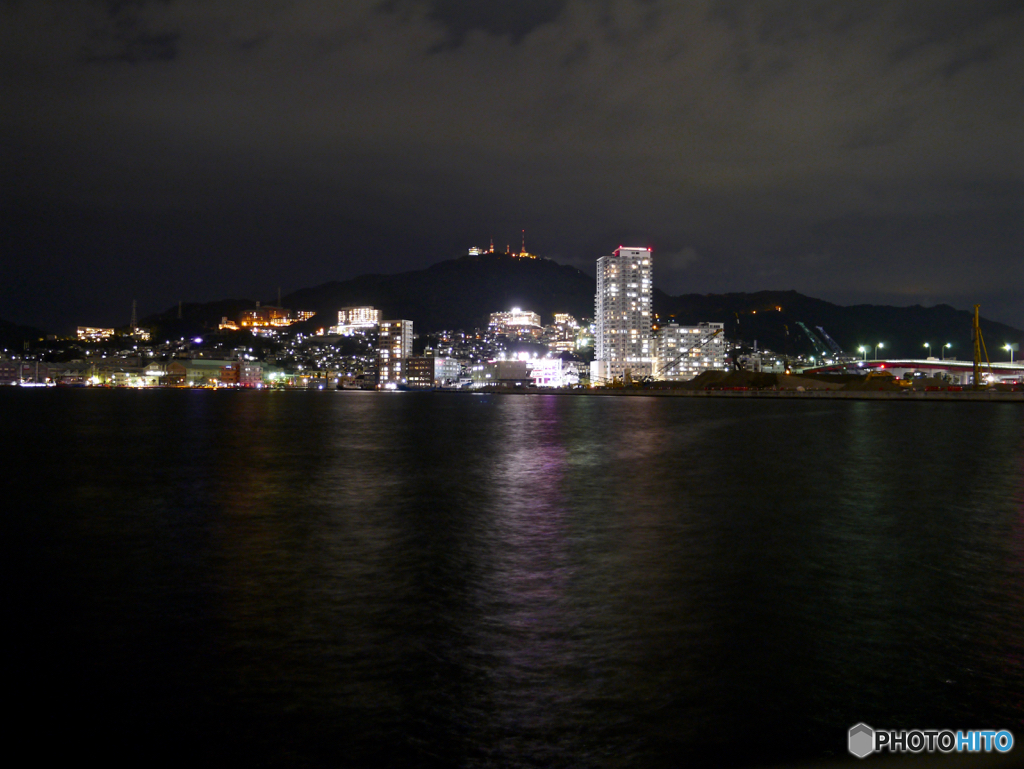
{"x": 329, "y": 579}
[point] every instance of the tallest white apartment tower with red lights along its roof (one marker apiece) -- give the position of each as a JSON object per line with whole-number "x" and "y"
{"x": 623, "y": 316}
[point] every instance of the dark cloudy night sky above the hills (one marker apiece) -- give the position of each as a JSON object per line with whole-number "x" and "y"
{"x": 855, "y": 151}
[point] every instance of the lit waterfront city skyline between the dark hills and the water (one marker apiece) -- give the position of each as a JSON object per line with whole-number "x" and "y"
{"x": 630, "y": 349}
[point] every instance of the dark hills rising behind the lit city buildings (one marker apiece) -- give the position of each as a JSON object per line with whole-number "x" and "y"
{"x": 461, "y": 294}
